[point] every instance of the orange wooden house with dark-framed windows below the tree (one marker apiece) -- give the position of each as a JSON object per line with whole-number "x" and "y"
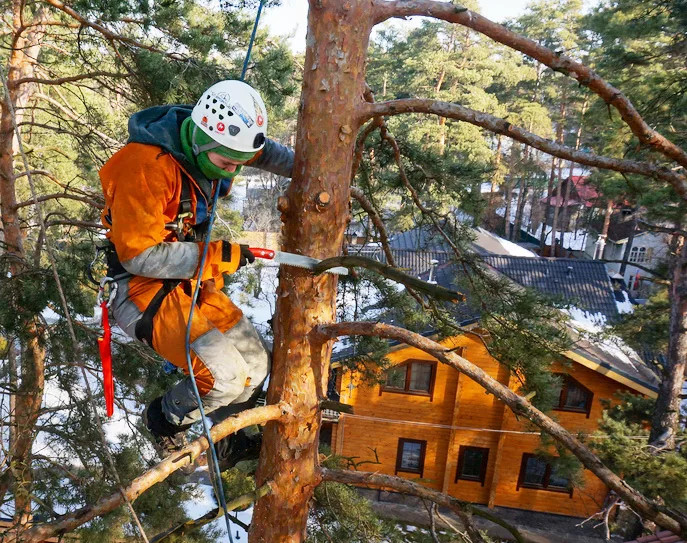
{"x": 428, "y": 422}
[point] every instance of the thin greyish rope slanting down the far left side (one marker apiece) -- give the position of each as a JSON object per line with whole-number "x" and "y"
{"x": 65, "y": 308}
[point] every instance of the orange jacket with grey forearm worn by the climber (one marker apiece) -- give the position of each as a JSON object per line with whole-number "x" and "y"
{"x": 142, "y": 189}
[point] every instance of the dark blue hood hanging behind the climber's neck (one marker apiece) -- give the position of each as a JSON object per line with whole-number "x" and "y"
{"x": 161, "y": 126}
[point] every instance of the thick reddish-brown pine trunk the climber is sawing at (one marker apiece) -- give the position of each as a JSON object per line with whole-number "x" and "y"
{"x": 338, "y": 34}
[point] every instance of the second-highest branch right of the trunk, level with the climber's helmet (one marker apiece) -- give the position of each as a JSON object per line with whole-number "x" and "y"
{"x": 501, "y": 126}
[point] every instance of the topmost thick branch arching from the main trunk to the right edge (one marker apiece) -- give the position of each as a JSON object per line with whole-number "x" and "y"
{"x": 448, "y": 11}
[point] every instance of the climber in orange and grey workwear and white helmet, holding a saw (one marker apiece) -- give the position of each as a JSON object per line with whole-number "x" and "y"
{"x": 158, "y": 190}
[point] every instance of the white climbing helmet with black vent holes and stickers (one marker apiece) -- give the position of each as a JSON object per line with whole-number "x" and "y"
{"x": 233, "y": 114}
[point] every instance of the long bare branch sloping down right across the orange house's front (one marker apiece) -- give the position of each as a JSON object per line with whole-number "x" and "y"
{"x": 668, "y": 519}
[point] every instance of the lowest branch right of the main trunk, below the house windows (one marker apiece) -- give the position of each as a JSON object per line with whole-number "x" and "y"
{"x": 405, "y": 486}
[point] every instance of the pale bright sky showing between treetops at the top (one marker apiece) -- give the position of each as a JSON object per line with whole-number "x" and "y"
{"x": 291, "y": 17}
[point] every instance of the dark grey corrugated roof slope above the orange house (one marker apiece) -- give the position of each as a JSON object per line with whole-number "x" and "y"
{"x": 582, "y": 283}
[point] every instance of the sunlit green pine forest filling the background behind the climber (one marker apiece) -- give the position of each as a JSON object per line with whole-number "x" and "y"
{"x": 73, "y": 74}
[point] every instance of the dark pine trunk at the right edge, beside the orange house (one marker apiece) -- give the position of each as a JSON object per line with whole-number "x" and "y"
{"x": 666, "y": 417}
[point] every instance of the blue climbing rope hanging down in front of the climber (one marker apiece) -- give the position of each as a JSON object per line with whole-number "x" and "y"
{"x": 214, "y": 467}
